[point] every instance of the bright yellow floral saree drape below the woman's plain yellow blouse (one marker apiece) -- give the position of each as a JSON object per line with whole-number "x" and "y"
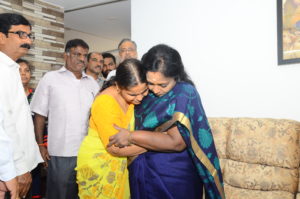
{"x": 99, "y": 174}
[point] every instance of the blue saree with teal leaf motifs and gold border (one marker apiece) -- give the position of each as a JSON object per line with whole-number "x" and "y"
{"x": 155, "y": 175}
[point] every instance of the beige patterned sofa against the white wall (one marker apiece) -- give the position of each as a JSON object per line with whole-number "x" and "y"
{"x": 260, "y": 158}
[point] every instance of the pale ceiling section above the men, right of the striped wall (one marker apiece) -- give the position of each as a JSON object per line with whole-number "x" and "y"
{"x": 109, "y": 19}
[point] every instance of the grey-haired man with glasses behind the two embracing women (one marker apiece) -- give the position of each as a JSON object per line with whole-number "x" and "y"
{"x": 127, "y": 49}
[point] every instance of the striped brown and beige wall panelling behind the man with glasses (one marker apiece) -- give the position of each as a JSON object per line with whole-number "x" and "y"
{"x": 47, "y": 22}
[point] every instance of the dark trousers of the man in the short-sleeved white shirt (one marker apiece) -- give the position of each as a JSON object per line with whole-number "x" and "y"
{"x": 61, "y": 178}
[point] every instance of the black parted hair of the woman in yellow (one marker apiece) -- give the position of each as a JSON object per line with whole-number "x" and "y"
{"x": 128, "y": 74}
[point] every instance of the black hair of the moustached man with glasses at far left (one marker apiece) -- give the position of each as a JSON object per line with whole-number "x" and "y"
{"x": 9, "y": 19}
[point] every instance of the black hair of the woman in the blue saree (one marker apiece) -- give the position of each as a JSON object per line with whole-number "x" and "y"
{"x": 165, "y": 59}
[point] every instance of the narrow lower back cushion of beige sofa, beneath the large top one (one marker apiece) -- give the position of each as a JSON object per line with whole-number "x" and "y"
{"x": 260, "y": 177}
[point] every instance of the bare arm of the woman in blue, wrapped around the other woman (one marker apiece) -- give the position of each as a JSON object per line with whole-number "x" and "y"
{"x": 156, "y": 141}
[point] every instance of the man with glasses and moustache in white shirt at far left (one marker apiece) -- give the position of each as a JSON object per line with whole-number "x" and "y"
{"x": 15, "y": 41}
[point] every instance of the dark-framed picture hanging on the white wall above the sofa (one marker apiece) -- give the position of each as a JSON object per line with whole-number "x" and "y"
{"x": 288, "y": 31}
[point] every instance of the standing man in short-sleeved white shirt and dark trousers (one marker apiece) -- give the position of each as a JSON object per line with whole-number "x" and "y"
{"x": 64, "y": 97}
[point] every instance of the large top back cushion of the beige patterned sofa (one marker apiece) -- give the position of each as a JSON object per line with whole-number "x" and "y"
{"x": 264, "y": 141}
